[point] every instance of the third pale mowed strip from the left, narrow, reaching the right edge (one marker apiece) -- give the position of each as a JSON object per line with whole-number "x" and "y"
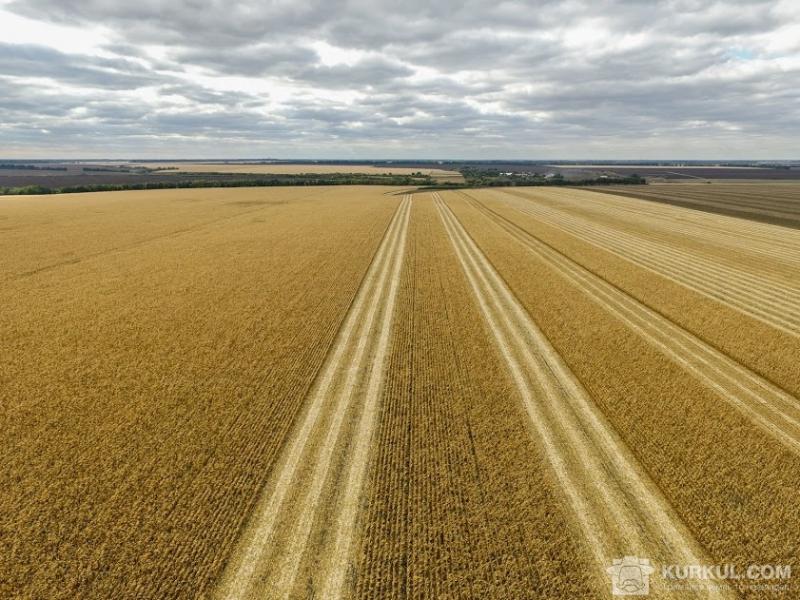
{"x": 767, "y": 405}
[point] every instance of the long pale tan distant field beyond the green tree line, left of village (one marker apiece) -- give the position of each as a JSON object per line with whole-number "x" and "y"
{"x": 299, "y": 169}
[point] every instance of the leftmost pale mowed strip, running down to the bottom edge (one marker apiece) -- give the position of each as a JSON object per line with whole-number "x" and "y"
{"x": 312, "y": 499}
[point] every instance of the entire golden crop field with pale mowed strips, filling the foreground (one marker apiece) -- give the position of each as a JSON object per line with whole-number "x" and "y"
{"x": 369, "y": 392}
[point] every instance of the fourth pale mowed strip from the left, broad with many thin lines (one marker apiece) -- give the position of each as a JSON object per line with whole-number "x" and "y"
{"x": 774, "y": 302}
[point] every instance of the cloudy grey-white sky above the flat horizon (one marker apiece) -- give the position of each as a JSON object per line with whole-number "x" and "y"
{"x": 356, "y": 79}
